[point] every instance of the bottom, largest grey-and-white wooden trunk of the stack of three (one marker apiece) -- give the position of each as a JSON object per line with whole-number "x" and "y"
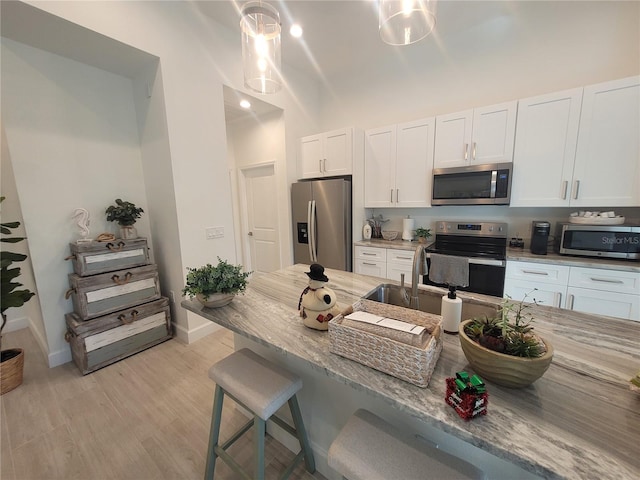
{"x": 105, "y": 340}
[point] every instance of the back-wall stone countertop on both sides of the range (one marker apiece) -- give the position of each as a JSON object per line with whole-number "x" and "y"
{"x": 524, "y": 255}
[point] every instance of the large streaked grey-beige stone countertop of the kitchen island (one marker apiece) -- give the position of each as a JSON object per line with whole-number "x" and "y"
{"x": 580, "y": 420}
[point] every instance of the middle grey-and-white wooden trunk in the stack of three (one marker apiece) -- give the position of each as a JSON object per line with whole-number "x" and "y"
{"x": 105, "y": 293}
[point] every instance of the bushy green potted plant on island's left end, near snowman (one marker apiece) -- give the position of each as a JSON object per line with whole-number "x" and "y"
{"x": 215, "y": 286}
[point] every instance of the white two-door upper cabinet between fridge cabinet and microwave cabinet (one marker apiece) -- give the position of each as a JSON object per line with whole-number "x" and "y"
{"x": 398, "y": 165}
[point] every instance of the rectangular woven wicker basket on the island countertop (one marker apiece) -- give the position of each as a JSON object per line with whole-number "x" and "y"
{"x": 401, "y": 360}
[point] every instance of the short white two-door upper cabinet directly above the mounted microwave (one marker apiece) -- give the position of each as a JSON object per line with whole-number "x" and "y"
{"x": 474, "y": 137}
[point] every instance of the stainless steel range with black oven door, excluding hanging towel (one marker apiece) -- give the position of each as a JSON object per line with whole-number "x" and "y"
{"x": 484, "y": 244}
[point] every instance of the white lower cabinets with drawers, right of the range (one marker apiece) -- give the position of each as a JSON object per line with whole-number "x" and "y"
{"x": 597, "y": 291}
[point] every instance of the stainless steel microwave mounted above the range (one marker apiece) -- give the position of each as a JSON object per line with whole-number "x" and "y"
{"x": 488, "y": 184}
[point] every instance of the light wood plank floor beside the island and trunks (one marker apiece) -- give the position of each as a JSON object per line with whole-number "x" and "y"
{"x": 145, "y": 417}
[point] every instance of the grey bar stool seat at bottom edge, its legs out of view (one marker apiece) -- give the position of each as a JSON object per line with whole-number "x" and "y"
{"x": 369, "y": 448}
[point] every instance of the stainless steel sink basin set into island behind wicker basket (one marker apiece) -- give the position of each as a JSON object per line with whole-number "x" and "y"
{"x": 429, "y": 301}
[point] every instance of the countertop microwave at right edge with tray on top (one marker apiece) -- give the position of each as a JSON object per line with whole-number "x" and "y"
{"x": 607, "y": 241}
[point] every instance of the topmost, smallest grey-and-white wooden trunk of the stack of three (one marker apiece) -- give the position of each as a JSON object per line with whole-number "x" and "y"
{"x": 99, "y": 257}
